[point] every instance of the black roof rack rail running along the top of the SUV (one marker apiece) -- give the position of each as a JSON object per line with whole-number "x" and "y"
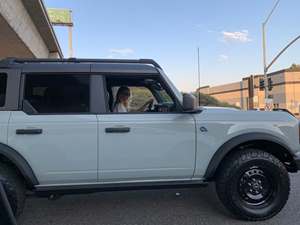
{"x": 10, "y": 61}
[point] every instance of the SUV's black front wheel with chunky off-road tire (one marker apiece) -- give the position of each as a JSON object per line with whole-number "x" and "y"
{"x": 253, "y": 184}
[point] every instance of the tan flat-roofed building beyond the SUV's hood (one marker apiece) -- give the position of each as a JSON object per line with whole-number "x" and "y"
{"x": 285, "y": 92}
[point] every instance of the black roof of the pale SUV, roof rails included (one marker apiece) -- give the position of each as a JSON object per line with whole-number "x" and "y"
{"x": 71, "y": 65}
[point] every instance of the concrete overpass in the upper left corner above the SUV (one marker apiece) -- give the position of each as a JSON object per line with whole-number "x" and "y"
{"x": 26, "y": 31}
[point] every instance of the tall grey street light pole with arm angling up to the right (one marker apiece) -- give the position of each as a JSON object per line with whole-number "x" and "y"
{"x": 265, "y": 49}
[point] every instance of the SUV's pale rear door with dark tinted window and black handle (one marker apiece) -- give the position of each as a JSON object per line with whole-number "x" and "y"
{"x": 55, "y": 131}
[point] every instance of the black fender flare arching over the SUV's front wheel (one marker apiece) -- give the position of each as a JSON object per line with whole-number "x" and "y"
{"x": 236, "y": 141}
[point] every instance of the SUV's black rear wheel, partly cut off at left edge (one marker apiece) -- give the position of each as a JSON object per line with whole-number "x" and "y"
{"x": 14, "y": 187}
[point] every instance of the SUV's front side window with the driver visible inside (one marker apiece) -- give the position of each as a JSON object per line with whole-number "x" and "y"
{"x": 141, "y": 95}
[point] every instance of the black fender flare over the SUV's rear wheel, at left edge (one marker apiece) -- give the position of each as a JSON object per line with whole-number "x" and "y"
{"x": 20, "y": 163}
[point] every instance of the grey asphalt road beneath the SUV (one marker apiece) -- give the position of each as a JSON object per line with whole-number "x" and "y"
{"x": 158, "y": 207}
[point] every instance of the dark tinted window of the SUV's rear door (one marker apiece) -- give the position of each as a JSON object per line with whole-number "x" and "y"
{"x": 58, "y": 93}
